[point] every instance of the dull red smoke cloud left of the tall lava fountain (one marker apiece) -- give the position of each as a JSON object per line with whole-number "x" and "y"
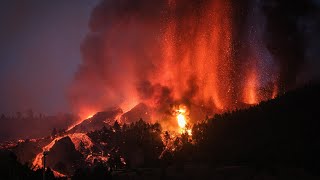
{"x": 121, "y": 31}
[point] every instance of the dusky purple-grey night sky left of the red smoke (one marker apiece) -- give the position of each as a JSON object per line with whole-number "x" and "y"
{"x": 40, "y": 52}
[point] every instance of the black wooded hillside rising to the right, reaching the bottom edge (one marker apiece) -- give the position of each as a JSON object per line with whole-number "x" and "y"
{"x": 276, "y": 137}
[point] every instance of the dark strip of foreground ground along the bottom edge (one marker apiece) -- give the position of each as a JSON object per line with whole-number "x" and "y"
{"x": 223, "y": 173}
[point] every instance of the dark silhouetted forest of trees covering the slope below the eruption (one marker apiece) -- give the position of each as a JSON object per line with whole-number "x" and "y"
{"x": 279, "y": 132}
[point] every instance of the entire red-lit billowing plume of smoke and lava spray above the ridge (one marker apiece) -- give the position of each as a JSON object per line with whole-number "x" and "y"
{"x": 170, "y": 52}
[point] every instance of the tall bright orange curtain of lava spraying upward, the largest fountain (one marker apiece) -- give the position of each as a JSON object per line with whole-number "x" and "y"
{"x": 198, "y": 47}
